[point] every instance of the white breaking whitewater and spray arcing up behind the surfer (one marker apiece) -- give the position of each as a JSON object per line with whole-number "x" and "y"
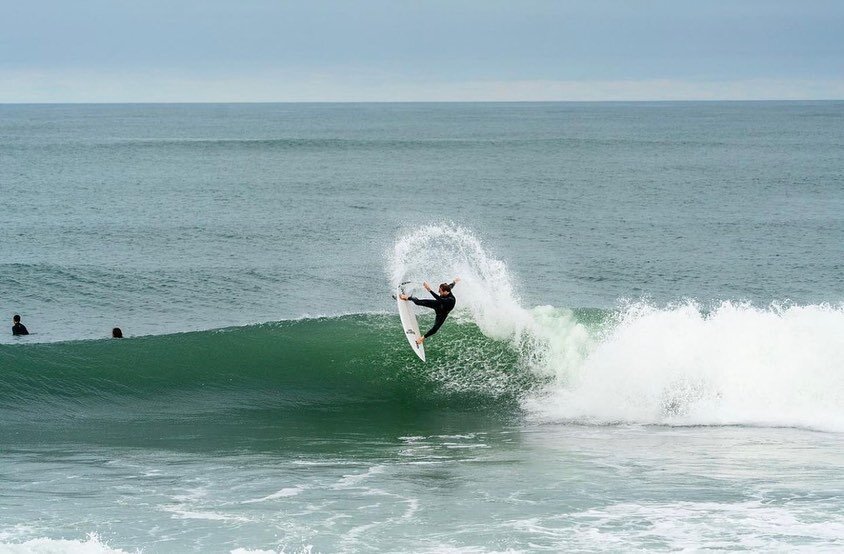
{"x": 679, "y": 364}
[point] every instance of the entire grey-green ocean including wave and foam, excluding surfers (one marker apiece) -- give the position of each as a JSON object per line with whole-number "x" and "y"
{"x": 647, "y": 352}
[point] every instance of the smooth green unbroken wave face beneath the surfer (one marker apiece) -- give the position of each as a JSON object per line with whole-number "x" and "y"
{"x": 351, "y": 363}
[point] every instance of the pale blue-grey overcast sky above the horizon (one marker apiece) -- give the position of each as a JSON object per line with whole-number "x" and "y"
{"x": 400, "y": 50}
